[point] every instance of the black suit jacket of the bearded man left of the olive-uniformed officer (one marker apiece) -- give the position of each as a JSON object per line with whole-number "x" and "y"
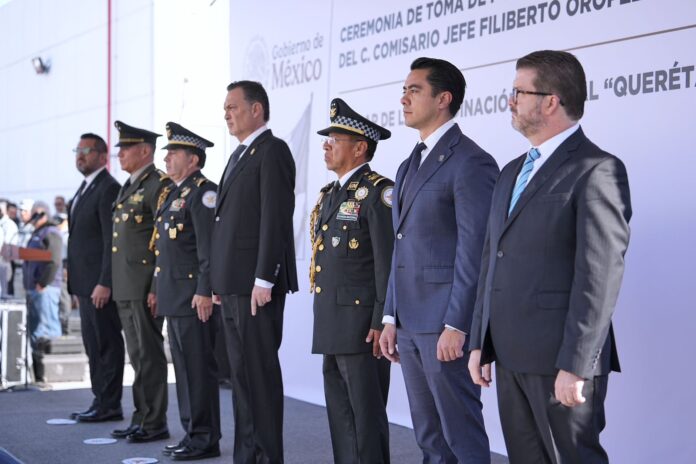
{"x": 89, "y": 241}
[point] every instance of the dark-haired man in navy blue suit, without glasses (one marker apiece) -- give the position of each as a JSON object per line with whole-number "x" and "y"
{"x": 441, "y": 201}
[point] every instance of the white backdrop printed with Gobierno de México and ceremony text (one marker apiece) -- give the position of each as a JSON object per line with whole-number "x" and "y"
{"x": 639, "y": 60}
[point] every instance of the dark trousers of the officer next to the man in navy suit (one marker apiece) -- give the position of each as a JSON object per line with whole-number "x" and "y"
{"x": 356, "y": 387}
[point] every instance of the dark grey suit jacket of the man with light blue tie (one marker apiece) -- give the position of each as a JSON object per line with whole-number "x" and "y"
{"x": 552, "y": 270}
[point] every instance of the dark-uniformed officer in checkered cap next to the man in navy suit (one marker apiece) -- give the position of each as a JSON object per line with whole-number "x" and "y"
{"x": 352, "y": 238}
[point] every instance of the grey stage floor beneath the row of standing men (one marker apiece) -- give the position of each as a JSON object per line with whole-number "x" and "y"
{"x": 25, "y": 434}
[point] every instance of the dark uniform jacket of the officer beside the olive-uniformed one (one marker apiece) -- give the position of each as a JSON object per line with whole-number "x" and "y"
{"x": 184, "y": 223}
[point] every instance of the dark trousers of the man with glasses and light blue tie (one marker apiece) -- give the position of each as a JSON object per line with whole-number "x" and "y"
{"x": 539, "y": 429}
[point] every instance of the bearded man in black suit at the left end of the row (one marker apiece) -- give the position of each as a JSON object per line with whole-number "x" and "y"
{"x": 89, "y": 278}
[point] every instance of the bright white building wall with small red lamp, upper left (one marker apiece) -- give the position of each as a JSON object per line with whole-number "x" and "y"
{"x": 43, "y": 116}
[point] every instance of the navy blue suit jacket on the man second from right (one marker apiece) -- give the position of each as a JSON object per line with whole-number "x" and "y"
{"x": 440, "y": 226}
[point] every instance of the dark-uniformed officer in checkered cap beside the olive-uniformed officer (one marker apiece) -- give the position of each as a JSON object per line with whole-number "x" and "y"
{"x": 182, "y": 273}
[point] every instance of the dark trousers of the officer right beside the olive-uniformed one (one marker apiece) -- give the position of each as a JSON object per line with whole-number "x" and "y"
{"x": 191, "y": 342}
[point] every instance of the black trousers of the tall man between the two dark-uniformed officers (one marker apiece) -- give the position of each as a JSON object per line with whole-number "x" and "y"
{"x": 257, "y": 383}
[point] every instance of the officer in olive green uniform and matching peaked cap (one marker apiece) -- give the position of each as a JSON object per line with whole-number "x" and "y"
{"x": 133, "y": 265}
